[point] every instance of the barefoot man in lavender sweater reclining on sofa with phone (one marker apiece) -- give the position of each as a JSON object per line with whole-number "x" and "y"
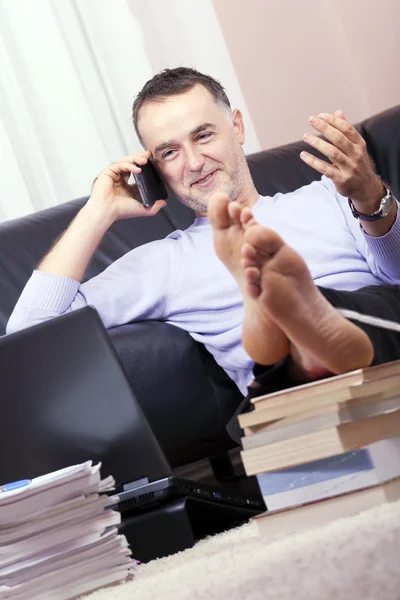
{"x": 186, "y": 125}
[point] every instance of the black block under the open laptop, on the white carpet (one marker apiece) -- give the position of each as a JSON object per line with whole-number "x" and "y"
{"x": 178, "y": 525}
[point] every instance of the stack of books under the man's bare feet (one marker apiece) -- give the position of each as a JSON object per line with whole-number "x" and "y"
{"x": 326, "y": 449}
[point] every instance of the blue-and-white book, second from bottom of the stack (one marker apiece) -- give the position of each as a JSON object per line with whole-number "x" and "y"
{"x": 372, "y": 465}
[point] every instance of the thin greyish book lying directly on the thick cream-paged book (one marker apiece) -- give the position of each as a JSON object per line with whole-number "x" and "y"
{"x": 319, "y": 418}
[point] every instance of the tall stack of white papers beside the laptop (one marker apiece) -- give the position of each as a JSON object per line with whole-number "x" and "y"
{"x": 59, "y": 536}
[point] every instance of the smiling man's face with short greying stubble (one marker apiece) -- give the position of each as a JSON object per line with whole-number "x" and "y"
{"x": 196, "y": 145}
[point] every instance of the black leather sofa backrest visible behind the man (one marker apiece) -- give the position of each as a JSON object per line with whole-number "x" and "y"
{"x": 24, "y": 242}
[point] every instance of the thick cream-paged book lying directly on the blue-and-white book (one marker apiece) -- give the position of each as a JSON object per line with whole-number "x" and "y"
{"x": 321, "y": 444}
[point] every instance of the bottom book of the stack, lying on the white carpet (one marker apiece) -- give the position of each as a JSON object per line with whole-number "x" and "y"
{"x": 320, "y": 512}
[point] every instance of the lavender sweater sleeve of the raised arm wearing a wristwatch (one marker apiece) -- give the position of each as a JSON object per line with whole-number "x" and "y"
{"x": 381, "y": 253}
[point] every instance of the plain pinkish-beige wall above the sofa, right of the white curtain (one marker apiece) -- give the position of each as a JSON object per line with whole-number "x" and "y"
{"x": 297, "y": 58}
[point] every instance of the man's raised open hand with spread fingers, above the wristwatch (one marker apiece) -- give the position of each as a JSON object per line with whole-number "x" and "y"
{"x": 351, "y": 169}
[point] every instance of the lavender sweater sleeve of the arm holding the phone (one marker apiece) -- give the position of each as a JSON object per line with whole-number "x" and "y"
{"x": 133, "y": 288}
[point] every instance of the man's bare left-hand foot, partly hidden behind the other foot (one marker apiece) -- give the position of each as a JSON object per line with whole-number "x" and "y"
{"x": 229, "y": 221}
